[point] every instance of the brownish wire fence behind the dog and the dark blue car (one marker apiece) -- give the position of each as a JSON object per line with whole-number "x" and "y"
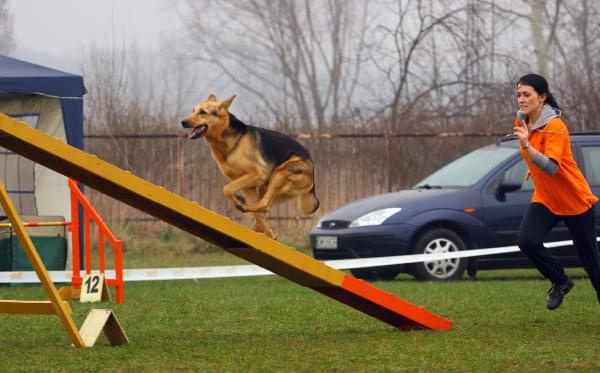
{"x": 347, "y": 167}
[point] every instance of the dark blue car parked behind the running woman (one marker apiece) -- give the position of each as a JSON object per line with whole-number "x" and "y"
{"x": 474, "y": 202}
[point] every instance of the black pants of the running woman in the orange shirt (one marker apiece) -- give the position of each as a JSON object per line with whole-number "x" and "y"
{"x": 535, "y": 226}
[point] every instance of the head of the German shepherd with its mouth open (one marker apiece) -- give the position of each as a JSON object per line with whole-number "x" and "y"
{"x": 210, "y": 115}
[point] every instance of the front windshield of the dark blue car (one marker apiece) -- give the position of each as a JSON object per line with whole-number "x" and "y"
{"x": 468, "y": 169}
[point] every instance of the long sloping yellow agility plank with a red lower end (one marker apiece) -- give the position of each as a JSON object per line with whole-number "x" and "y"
{"x": 210, "y": 226}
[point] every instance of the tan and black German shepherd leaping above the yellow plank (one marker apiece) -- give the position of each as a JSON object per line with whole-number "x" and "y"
{"x": 264, "y": 166}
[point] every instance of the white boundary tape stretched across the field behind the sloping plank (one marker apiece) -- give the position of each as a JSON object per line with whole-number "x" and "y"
{"x": 187, "y": 273}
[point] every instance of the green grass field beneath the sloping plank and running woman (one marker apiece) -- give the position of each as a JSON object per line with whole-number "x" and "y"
{"x": 270, "y": 324}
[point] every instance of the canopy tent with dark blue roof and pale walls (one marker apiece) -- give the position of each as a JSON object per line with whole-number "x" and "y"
{"x": 51, "y": 101}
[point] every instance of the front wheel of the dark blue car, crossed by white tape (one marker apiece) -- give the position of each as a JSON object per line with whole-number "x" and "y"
{"x": 435, "y": 241}
